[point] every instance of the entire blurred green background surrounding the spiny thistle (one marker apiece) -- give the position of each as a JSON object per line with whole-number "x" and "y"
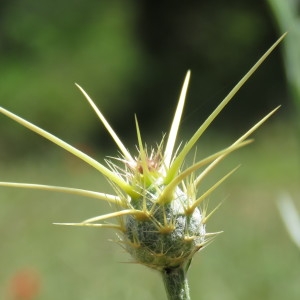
{"x": 131, "y": 57}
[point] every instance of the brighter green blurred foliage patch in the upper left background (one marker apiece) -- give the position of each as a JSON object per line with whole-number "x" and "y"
{"x": 48, "y": 45}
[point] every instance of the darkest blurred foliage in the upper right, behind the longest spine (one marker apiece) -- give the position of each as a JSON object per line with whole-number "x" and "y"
{"x": 219, "y": 41}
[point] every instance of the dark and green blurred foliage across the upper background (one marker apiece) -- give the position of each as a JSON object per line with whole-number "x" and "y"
{"x": 131, "y": 57}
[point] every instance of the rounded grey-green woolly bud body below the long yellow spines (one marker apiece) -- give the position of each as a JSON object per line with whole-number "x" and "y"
{"x": 168, "y": 235}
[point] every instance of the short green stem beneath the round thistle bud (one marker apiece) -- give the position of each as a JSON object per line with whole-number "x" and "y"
{"x": 176, "y": 283}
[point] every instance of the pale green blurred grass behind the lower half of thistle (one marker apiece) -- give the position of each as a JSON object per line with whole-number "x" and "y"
{"x": 253, "y": 259}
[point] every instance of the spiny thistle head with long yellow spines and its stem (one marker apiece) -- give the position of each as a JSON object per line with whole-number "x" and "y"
{"x": 160, "y": 218}
